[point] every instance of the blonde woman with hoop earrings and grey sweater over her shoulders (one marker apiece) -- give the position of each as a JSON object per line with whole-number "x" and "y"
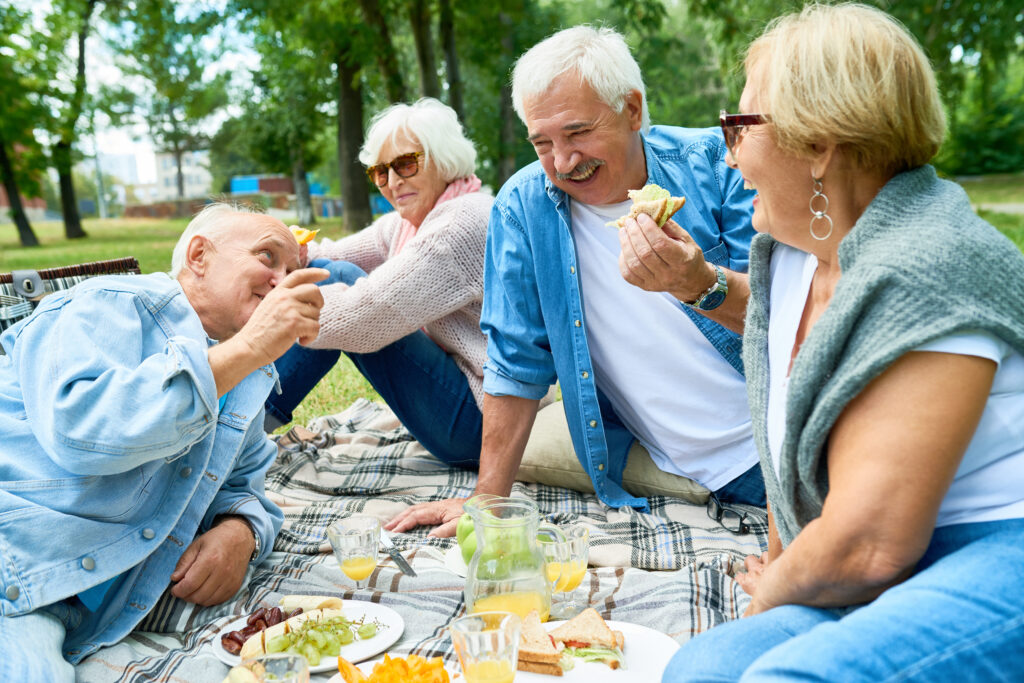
{"x": 883, "y": 349}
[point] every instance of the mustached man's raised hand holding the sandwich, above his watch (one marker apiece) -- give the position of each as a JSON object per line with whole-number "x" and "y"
{"x": 663, "y": 260}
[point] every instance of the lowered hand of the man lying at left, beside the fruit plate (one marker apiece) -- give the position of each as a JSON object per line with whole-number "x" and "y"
{"x": 212, "y": 568}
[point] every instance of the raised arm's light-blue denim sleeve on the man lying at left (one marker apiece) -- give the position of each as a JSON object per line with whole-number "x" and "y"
{"x": 104, "y": 395}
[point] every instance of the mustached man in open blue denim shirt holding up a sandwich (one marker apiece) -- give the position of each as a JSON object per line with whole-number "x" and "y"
{"x": 638, "y": 325}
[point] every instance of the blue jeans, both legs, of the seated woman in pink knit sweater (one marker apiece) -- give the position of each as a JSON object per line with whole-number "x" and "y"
{"x": 415, "y": 377}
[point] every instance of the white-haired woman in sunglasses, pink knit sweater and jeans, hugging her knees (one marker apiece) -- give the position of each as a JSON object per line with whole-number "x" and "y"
{"x": 404, "y": 300}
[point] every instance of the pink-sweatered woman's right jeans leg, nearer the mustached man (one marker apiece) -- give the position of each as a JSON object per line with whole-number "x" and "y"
{"x": 430, "y": 395}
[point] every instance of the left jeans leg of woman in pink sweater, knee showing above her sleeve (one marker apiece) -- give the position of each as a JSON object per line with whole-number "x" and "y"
{"x": 301, "y": 368}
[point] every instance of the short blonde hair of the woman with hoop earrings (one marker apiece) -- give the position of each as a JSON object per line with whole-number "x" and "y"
{"x": 852, "y": 75}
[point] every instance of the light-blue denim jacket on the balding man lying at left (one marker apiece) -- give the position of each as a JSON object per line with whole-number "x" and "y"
{"x": 115, "y": 454}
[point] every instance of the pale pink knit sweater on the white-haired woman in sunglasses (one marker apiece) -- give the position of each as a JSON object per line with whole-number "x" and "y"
{"x": 436, "y": 283}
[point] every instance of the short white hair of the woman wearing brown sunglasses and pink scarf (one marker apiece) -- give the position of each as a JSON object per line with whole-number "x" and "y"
{"x": 435, "y": 125}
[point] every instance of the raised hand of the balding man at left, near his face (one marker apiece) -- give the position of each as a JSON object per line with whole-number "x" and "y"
{"x": 290, "y": 312}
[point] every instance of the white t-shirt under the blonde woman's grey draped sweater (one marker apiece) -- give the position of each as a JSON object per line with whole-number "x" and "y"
{"x": 990, "y": 483}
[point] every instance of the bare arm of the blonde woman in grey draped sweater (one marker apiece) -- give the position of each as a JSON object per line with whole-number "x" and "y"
{"x": 892, "y": 456}
